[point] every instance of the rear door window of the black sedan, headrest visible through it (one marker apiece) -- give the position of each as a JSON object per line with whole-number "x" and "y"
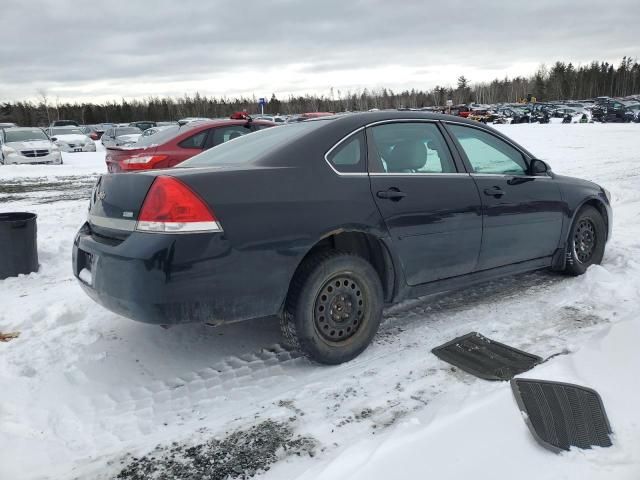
{"x": 409, "y": 147}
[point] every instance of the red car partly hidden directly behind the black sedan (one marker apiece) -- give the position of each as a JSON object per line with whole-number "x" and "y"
{"x": 175, "y": 144}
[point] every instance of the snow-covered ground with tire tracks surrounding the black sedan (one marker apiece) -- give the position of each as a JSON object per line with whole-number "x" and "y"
{"x": 81, "y": 387}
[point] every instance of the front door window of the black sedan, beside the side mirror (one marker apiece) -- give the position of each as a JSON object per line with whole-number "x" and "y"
{"x": 488, "y": 154}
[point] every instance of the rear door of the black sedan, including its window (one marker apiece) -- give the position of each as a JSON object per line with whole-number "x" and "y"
{"x": 431, "y": 207}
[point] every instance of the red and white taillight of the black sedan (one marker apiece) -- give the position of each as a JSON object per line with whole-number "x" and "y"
{"x": 171, "y": 207}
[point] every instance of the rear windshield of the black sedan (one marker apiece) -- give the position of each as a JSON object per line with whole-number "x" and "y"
{"x": 249, "y": 148}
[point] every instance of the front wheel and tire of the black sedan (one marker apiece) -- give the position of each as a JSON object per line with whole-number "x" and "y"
{"x": 586, "y": 241}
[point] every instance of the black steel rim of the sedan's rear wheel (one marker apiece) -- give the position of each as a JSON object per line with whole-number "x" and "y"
{"x": 339, "y": 308}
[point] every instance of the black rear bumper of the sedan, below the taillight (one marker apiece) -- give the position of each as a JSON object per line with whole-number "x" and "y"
{"x": 169, "y": 279}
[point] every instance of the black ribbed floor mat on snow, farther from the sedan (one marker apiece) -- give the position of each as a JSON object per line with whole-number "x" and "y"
{"x": 561, "y": 415}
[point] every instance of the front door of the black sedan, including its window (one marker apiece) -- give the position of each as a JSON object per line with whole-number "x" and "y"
{"x": 522, "y": 213}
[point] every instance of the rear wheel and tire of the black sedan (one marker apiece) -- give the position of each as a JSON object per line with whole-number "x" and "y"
{"x": 334, "y": 307}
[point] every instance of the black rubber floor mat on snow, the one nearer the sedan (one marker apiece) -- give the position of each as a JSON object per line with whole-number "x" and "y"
{"x": 485, "y": 358}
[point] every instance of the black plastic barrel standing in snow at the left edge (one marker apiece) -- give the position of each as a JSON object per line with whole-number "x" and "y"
{"x": 18, "y": 243}
